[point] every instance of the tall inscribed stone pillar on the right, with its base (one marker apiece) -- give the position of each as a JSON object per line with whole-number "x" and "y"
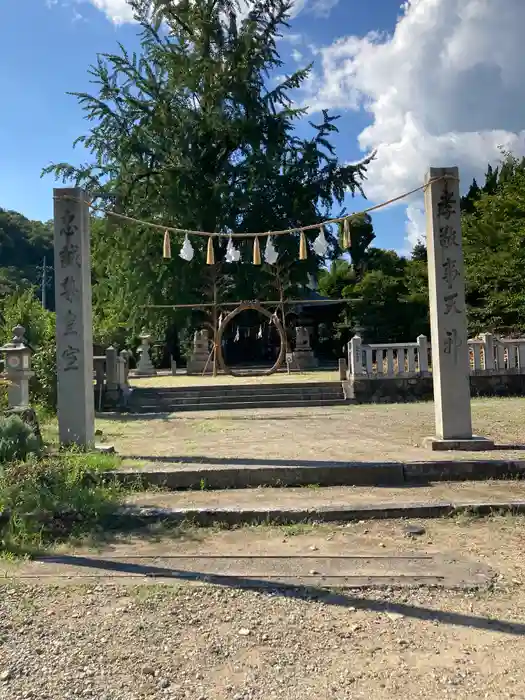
{"x": 448, "y": 317}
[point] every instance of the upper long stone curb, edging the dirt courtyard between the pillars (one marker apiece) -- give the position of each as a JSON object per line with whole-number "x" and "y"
{"x": 351, "y": 474}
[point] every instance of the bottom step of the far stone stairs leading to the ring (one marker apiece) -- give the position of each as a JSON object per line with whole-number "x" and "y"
{"x": 152, "y": 406}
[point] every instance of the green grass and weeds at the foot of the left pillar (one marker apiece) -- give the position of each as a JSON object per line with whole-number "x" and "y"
{"x": 48, "y": 500}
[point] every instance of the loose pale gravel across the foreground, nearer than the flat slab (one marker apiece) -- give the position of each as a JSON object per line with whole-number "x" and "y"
{"x": 206, "y": 644}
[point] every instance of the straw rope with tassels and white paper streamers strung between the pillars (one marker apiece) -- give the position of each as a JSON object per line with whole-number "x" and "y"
{"x": 320, "y": 245}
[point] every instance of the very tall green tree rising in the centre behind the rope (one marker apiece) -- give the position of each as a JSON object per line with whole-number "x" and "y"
{"x": 196, "y": 131}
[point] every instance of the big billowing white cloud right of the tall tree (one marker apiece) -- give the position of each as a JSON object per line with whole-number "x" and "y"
{"x": 444, "y": 89}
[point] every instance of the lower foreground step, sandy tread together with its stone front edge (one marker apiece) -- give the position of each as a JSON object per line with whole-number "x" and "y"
{"x": 336, "y": 504}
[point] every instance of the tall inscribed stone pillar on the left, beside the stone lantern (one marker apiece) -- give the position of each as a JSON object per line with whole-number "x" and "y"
{"x": 74, "y": 329}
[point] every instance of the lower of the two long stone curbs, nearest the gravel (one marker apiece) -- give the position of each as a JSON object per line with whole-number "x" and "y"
{"x": 145, "y": 515}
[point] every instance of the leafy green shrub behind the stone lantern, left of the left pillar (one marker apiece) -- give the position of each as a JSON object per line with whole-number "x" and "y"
{"x": 23, "y": 308}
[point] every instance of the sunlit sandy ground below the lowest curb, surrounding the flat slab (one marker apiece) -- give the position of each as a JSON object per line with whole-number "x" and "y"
{"x": 116, "y": 640}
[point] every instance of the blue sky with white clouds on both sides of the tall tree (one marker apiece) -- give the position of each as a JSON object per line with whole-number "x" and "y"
{"x": 375, "y": 64}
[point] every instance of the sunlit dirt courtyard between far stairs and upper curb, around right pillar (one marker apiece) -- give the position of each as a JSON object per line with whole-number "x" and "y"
{"x": 308, "y": 436}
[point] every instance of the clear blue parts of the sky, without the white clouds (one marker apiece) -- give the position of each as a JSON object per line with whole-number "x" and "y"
{"x": 40, "y": 121}
